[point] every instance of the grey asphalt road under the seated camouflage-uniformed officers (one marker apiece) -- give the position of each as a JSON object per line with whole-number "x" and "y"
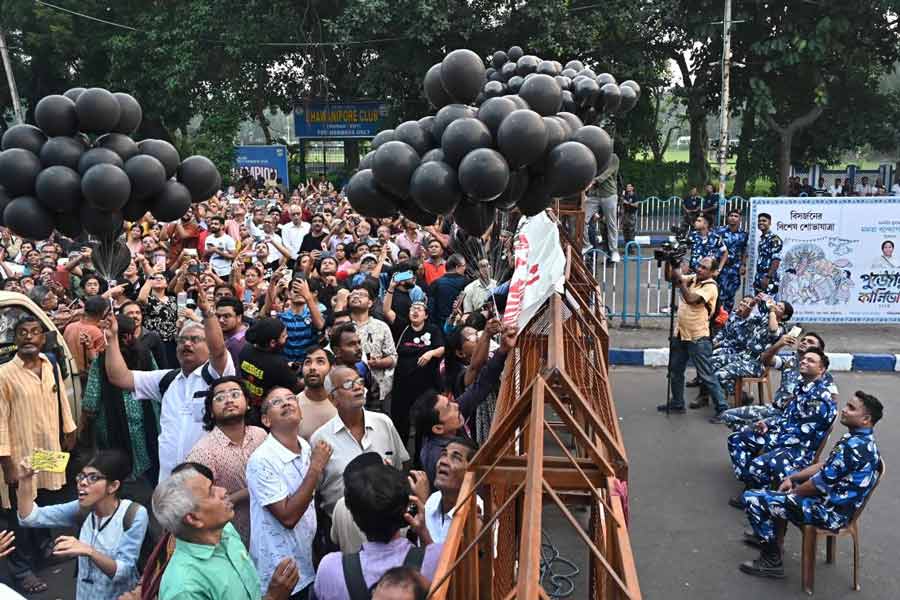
{"x": 686, "y": 538}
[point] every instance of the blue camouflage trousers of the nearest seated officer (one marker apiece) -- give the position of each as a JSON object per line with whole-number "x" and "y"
{"x": 764, "y": 507}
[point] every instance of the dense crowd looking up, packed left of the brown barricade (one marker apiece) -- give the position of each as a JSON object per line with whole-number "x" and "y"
{"x": 280, "y": 400}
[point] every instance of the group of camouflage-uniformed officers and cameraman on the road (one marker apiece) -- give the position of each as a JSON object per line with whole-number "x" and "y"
{"x": 775, "y": 449}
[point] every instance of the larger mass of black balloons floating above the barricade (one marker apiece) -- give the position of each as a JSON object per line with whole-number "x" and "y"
{"x": 518, "y": 148}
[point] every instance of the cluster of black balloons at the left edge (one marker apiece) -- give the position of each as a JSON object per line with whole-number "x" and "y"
{"x": 78, "y": 169}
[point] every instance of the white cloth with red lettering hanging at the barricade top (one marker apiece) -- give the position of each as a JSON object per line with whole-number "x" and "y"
{"x": 539, "y": 272}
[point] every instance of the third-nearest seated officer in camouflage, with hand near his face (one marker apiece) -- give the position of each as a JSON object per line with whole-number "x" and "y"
{"x": 736, "y": 418}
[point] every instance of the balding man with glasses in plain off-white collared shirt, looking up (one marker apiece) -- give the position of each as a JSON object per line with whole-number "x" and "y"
{"x": 353, "y": 431}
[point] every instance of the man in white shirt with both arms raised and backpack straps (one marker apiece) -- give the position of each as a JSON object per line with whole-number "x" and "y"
{"x": 203, "y": 358}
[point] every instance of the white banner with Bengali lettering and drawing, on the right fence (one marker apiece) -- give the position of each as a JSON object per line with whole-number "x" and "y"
{"x": 837, "y": 260}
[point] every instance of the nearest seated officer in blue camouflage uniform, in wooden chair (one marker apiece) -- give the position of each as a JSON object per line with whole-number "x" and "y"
{"x": 825, "y": 494}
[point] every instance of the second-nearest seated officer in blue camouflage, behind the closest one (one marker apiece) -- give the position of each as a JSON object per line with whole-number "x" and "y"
{"x": 771, "y": 450}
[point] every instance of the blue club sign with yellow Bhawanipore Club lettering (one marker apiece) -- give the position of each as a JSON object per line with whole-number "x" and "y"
{"x": 340, "y": 120}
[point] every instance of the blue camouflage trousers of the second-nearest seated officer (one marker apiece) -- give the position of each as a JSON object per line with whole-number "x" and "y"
{"x": 756, "y": 462}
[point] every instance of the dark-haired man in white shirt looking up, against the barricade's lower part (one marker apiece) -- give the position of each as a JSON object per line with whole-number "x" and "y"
{"x": 451, "y": 469}
